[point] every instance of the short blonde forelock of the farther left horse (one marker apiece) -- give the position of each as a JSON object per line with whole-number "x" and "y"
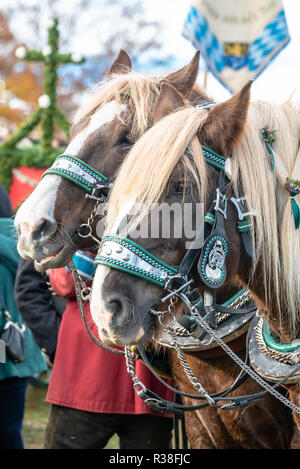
{"x": 139, "y": 91}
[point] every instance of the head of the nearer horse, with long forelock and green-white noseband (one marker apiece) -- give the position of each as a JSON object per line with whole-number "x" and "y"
{"x": 168, "y": 167}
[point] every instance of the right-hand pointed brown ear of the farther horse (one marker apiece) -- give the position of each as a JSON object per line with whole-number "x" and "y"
{"x": 184, "y": 79}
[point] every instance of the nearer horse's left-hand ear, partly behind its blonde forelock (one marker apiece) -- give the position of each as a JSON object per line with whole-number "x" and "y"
{"x": 167, "y": 102}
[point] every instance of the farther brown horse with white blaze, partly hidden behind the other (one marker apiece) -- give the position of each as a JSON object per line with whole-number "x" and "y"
{"x": 50, "y": 220}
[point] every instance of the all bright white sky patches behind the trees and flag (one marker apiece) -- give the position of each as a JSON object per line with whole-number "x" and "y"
{"x": 278, "y": 82}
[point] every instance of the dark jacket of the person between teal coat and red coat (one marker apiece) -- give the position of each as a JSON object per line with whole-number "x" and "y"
{"x": 39, "y": 307}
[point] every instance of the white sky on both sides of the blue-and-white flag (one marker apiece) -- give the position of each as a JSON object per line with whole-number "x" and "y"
{"x": 279, "y": 80}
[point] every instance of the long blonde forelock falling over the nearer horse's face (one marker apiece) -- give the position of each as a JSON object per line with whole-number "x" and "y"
{"x": 146, "y": 171}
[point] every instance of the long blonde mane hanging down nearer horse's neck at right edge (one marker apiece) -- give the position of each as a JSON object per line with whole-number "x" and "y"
{"x": 276, "y": 241}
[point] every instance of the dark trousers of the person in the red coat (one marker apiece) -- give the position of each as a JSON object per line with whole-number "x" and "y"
{"x": 75, "y": 429}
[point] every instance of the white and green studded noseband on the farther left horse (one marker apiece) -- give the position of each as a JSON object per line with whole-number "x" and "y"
{"x": 77, "y": 171}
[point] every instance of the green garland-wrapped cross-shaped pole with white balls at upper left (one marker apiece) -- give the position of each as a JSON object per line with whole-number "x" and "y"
{"x": 48, "y": 114}
